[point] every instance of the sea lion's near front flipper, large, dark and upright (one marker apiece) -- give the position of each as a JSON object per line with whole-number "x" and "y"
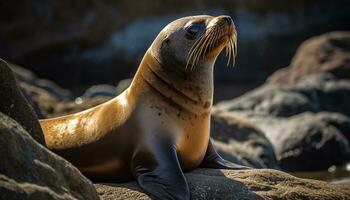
{"x": 158, "y": 171}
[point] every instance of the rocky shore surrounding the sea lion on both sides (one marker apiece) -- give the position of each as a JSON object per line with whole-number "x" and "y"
{"x": 297, "y": 123}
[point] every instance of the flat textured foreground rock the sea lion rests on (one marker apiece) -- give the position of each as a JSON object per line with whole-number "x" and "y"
{"x": 245, "y": 184}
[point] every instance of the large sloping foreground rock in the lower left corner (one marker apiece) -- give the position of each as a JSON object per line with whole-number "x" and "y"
{"x": 30, "y": 171}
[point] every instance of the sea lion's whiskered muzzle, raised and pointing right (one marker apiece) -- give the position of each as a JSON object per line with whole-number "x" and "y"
{"x": 220, "y": 33}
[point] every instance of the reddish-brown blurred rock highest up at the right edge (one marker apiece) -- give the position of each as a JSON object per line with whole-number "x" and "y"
{"x": 328, "y": 53}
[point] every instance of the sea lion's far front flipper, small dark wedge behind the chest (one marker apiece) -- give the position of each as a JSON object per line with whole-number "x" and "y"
{"x": 213, "y": 160}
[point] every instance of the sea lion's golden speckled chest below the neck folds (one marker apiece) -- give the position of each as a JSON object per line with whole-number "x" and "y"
{"x": 190, "y": 130}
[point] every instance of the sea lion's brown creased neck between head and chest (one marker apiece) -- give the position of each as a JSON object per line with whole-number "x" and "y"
{"x": 192, "y": 91}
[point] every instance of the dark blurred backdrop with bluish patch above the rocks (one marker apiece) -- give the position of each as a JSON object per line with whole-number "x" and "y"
{"x": 83, "y": 42}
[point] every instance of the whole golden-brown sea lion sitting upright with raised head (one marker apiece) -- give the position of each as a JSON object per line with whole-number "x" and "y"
{"x": 159, "y": 126}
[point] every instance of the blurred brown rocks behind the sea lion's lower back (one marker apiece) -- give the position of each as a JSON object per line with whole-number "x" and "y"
{"x": 50, "y": 100}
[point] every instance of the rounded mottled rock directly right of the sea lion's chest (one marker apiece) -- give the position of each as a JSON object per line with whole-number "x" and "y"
{"x": 241, "y": 142}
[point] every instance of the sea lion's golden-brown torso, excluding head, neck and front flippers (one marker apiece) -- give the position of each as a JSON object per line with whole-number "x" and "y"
{"x": 138, "y": 112}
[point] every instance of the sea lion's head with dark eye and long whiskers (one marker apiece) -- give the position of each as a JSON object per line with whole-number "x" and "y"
{"x": 195, "y": 41}
